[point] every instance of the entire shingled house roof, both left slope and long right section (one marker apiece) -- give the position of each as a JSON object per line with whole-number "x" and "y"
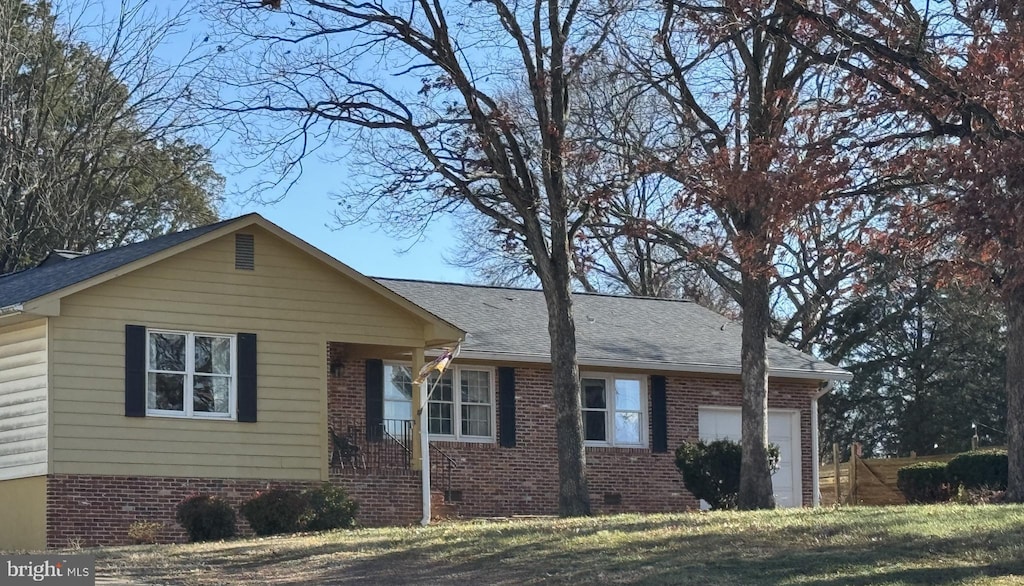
{"x": 503, "y": 323}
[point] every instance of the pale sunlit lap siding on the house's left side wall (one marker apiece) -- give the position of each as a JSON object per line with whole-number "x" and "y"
{"x": 23, "y": 400}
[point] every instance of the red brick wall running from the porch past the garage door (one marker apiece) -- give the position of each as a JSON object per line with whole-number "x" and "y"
{"x": 524, "y": 480}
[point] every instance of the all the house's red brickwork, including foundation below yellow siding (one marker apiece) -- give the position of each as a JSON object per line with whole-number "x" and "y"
{"x": 91, "y": 511}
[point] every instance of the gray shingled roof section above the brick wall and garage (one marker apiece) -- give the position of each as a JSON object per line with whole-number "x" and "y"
{"x": 643, "y": 332}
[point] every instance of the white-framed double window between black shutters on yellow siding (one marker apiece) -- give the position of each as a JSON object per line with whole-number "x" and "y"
{"x": 191, "y": 374}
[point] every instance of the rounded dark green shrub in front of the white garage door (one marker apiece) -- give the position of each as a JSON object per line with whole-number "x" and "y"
{"x": 711, "y": 471}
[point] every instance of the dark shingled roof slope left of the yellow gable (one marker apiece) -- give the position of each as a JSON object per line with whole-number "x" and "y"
{"x": 33, "y": 283}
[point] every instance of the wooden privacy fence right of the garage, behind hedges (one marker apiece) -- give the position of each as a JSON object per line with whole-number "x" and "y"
{"x": 866, "y": 481}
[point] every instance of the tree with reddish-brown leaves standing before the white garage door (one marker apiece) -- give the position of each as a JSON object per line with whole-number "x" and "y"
{"x": 760, "y": 144}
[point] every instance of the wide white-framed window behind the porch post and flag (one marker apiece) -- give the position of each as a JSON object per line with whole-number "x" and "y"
{"x": 461, "y": 407}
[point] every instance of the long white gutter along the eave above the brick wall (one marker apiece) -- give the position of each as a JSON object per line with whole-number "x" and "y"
{"x": 833, "y": 375}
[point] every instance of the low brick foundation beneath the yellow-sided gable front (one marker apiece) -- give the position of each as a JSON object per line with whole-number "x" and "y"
{"x": 90, "y": 511}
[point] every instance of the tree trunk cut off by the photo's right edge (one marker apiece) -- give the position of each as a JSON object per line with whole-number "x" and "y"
{"x": 1015, "y": 394}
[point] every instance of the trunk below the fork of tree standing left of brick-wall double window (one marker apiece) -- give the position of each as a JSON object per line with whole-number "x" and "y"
{"x": 574, "y": 494}
